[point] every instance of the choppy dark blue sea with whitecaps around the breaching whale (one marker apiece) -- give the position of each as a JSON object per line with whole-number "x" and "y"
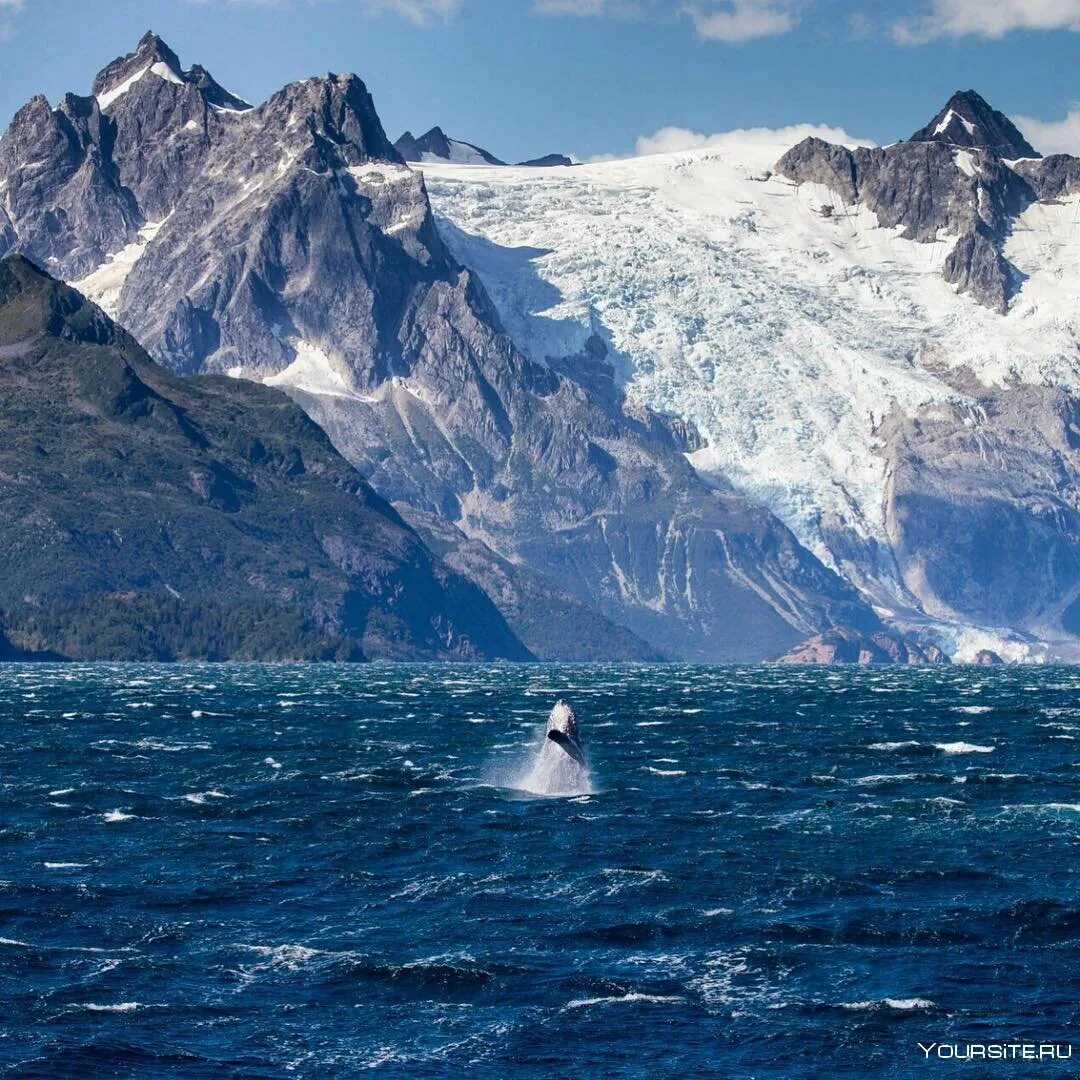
{"x": 265, "y": 872}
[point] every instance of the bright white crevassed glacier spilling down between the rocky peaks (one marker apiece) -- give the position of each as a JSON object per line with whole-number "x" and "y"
{"x": 782, "y": 325}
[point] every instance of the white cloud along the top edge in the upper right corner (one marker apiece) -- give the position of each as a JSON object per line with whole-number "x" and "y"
{"x": 987, "y": 19}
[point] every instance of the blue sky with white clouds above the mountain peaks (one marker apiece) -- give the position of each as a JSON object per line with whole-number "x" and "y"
{"x": 591, "y": 77}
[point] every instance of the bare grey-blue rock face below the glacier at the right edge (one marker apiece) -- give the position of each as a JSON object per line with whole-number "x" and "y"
{"x": 983, "y": 509}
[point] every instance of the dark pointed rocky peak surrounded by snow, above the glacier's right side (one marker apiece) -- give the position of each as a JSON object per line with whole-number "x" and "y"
{"x": 957, "y": 175}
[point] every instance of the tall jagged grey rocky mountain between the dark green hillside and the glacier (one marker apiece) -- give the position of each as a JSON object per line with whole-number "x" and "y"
{"x": 300, "y": 248}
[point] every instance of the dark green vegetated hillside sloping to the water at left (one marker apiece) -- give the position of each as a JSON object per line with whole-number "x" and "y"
{"x": 146, "y": 517}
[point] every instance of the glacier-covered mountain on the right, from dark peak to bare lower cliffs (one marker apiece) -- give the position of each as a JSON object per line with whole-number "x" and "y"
{"x": 799, "y": 316}
